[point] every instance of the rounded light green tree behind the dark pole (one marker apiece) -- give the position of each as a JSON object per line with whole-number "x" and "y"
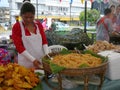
{"x": 92, "y": 16}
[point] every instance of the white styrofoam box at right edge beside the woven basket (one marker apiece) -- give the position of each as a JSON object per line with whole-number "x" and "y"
{"x": 113, "y": 70}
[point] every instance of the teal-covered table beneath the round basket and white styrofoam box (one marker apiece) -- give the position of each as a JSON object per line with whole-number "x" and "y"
{"x": 107, "y": 85}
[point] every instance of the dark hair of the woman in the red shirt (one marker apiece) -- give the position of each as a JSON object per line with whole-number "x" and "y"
{"x": 27, "y": 7}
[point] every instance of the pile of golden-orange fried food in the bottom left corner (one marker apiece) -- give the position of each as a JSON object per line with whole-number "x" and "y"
{"x": 16, "y": 77}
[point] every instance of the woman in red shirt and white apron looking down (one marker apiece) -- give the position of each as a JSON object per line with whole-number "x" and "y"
{"x": 29, "y": 38}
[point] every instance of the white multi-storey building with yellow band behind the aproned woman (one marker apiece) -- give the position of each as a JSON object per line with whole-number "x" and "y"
{"x": 63, "y": 11}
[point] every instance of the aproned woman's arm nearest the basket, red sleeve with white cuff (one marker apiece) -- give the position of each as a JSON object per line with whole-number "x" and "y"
{"x": 44, "y": 40}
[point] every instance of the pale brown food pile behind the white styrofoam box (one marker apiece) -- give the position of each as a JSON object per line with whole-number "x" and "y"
{"x": 101, "y": 46}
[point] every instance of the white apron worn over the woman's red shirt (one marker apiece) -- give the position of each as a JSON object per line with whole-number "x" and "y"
{"x": 33, "y": 45}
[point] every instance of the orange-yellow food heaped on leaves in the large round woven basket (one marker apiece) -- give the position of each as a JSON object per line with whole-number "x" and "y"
{"x": 75, "y": 60}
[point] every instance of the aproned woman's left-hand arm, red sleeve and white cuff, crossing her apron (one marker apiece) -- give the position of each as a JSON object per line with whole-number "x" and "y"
{"x": 17, "y": 39}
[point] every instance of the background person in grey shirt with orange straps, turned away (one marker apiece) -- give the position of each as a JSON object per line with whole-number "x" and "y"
{"x": 104, "y": 26}
